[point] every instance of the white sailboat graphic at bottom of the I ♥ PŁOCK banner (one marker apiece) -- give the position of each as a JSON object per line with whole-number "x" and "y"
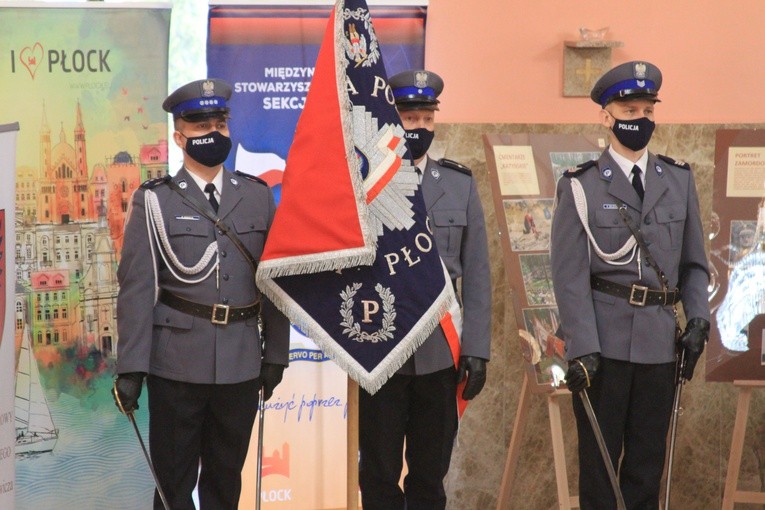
{"x": 35, "y": 432}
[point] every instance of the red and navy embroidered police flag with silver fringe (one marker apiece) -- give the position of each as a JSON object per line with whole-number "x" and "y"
{"x": 349, "y": 257}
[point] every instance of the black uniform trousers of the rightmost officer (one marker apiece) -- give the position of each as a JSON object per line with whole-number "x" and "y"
{"x": 633, "y": 404}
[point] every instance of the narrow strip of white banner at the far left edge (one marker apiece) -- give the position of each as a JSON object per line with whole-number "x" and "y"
{"x": 8, "y": 134}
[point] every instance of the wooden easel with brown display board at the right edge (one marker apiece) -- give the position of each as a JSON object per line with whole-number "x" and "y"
{"x": 736, "y": 348}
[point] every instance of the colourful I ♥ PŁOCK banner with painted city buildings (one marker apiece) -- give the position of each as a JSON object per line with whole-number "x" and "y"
{"x": 86, "y": 84}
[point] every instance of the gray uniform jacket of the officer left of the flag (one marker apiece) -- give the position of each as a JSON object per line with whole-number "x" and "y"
{"x": 160, "y": 340}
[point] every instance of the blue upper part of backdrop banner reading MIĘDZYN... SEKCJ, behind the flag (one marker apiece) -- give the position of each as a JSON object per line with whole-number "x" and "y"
{"x": 268, "y": 54}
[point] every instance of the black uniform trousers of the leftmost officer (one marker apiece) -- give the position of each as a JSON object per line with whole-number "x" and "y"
{"x": 207, "y": 424}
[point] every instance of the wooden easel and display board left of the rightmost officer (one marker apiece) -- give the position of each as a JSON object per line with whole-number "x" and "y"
{"x": 523, "y": 171}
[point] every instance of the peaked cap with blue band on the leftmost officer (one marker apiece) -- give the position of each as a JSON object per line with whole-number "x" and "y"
{"x": 199, "y": 98}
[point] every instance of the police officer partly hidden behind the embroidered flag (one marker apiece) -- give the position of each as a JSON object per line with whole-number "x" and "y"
{"x": 418, "y": 403}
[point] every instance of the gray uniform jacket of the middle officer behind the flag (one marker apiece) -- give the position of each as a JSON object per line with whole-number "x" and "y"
{"x": 456, "y": 217}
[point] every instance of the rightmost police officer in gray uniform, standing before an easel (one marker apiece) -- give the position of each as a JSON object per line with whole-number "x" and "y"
{"x": 616, "y": 310}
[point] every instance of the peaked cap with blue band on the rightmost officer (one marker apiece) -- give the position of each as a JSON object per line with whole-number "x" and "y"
{"x": 631, "y": 80}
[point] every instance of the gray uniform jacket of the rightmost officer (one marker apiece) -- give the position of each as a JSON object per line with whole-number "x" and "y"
{"x": 593, "y": 321}
